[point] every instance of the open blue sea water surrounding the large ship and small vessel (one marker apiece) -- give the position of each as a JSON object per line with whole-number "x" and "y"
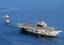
{"x": 30, "y": 11}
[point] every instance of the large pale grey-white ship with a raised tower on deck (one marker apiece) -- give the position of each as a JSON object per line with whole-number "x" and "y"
{"x": 40, "y": 28}
